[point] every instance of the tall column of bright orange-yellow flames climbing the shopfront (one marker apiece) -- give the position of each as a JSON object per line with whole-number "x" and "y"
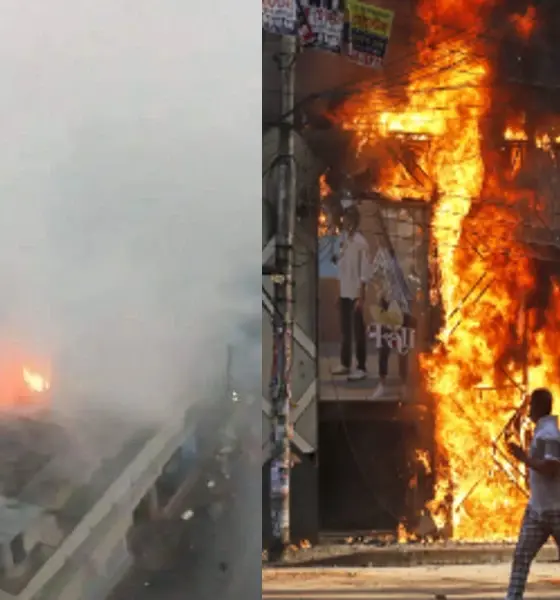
{"x": 476, "y": 371}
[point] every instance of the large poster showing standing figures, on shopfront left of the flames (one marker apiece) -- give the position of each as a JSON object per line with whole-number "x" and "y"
{"x": 373, "y": 301}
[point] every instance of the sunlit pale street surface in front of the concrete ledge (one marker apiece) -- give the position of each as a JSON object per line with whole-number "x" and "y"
{"x": 485, "y": 582}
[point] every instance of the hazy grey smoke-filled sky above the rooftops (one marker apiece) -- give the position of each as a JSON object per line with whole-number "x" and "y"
{"x": 129, "y": 191}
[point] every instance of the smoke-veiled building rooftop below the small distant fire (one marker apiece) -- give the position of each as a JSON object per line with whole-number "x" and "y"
{"x": 53, "y": 470}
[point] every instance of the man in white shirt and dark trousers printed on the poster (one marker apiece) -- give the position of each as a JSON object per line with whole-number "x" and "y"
{"x": 354, "y": 268}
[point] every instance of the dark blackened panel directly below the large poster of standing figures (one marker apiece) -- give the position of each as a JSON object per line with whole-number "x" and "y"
{"x": 369, "y": 478}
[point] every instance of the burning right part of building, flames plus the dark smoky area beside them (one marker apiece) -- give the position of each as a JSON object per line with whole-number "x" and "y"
{"x": 472, "y": 131}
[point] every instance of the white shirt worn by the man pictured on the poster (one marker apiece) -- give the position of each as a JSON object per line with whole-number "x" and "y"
{"x": 354, "y": 266}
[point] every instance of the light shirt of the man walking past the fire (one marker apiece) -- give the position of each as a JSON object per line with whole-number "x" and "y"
{"x": 545, "y": 491}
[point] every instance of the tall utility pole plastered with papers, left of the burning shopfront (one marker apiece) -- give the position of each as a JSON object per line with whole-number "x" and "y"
{"x": 283, "y": 318}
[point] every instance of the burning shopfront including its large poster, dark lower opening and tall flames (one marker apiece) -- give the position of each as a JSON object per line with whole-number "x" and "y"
{"x": 453, "y": 169}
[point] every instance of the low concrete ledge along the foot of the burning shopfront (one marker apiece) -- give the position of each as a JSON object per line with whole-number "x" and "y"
{"x": 406, "y": 555}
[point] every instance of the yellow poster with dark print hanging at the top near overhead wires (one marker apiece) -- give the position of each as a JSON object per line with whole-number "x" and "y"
{"x": 370, "y": 29}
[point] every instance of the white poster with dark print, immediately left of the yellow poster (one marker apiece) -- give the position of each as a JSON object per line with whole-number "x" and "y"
{"x": 322, "y": 28}
